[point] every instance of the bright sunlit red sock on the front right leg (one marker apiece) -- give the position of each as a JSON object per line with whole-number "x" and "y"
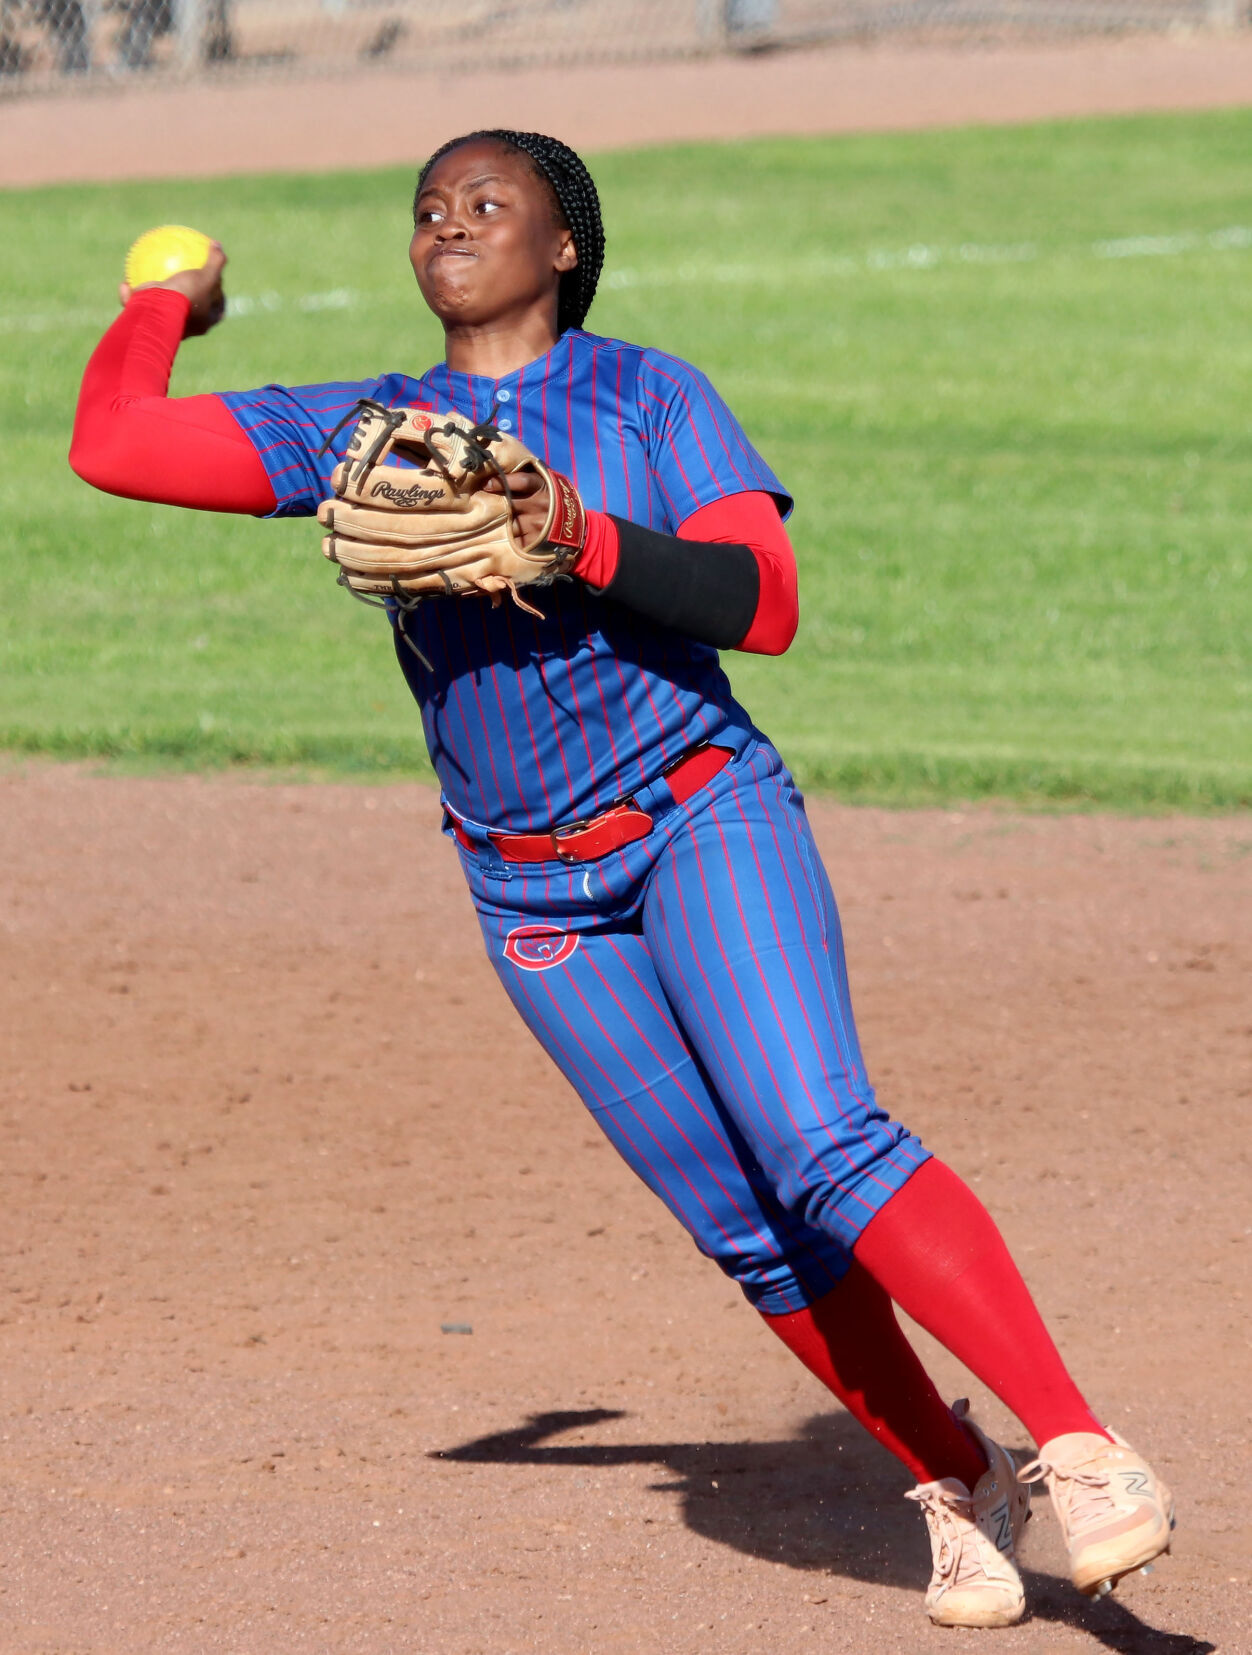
{"x": 937, "y": 1250}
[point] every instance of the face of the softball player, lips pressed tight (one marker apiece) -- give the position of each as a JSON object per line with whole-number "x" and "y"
{"x": 488, "y": 246}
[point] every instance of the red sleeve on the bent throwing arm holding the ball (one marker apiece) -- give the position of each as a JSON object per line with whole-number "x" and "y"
{"x": 135, "y": 441}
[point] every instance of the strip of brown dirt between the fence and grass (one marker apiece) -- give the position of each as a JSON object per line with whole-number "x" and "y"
{"x": 171, "y": 132}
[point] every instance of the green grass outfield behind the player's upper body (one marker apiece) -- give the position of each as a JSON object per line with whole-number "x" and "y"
{"x": 1006, "y": 373}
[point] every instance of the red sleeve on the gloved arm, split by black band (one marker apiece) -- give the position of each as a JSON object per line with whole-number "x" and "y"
{"x": 741, "y": 520}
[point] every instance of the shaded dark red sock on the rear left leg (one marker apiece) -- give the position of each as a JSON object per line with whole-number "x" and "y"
{"x": 855, "y": 1346}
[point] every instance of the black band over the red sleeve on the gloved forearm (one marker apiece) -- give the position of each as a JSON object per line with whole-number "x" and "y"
{"x": 708, "y": 590}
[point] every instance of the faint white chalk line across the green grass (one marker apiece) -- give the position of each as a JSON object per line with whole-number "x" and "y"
{"x": 920, "y": 256}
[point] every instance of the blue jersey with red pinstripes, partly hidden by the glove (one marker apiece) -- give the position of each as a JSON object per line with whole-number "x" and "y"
{"x": 539, "y": 722}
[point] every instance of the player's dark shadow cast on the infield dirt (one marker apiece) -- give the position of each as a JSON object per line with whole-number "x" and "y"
{"x": 826, "y": 1500}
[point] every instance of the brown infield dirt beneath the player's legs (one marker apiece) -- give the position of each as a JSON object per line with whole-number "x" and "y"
{"x": 259, "y": 1156}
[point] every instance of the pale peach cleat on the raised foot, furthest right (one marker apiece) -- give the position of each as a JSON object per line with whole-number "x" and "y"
{"x": 1115, "y": 1513}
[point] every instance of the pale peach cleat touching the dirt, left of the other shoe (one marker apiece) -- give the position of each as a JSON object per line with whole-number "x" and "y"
{"x": 975, "y": 1542}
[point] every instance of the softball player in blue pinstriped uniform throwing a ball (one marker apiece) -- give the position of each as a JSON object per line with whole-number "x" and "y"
{"x": 640, "y": 860}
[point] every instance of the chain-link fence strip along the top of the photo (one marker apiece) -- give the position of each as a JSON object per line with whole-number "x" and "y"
{"x": 49, "y": 46}
